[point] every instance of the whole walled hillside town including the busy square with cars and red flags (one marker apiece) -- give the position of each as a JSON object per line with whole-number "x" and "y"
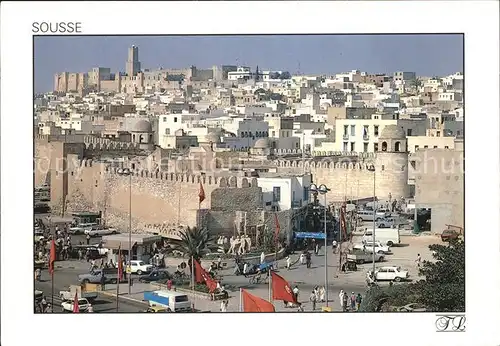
{"x": 238, "y": 188}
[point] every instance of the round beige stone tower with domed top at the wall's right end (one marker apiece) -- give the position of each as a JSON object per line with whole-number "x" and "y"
{"x": 391, "y": 164}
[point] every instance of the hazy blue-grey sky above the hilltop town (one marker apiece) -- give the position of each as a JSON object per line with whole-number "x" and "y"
{"x": 427, "y": 55}
